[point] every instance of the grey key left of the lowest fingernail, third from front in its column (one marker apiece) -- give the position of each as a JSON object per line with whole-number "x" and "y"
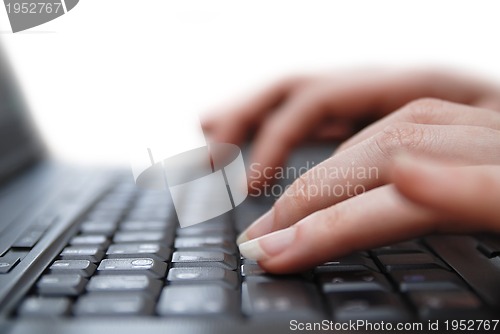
{"x": 204, "y": 259}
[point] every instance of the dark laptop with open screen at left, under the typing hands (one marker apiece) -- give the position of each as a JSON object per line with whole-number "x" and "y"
{"x": 86, "y": 251}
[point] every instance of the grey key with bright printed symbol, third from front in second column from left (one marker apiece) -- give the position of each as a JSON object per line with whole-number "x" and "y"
{"x": 145, "y": 266}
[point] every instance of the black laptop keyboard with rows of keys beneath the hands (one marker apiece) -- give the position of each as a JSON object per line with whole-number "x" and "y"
{"x": 129, "y": 257}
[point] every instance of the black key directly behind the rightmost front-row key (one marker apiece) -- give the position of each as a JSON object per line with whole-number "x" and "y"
{"x": 428, "y": 279}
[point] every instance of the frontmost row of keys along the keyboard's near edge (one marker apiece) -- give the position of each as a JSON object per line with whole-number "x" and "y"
{"x": 262, "y": 297}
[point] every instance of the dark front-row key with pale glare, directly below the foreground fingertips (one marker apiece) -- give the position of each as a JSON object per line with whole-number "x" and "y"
{"x": 271, "y": 297}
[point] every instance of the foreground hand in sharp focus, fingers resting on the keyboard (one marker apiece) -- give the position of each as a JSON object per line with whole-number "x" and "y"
{"x": 408, "y": 196}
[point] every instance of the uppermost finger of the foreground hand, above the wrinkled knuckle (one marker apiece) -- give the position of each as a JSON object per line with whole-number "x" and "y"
{"x": 430, "y": 111}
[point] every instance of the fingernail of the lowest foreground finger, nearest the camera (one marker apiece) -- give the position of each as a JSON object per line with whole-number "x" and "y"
{"x": 272, "y": 244}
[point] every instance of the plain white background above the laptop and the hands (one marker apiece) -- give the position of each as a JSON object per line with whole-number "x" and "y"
{"x": 111, "y": 71}
